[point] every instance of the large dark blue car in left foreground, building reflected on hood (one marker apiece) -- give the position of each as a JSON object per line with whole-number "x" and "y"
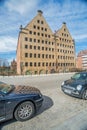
{"x": 19, "y": 102}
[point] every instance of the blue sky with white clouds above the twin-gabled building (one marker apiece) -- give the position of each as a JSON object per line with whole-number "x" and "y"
{"x": 14, "y": 13}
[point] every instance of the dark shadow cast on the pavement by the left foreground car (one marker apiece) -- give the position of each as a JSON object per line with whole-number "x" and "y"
{"x": 47, "y": 103}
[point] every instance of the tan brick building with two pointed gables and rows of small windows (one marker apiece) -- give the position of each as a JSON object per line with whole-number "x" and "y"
{"x": 39, "y": 50}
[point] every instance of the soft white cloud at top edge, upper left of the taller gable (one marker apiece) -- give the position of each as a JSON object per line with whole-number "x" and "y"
{"x": 22, "y": 6}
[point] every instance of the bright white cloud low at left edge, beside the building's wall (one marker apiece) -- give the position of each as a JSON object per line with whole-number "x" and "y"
{"x": 8, "y": 44}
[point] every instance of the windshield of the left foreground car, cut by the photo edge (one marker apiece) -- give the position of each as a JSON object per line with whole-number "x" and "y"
{"x": 5, "y": 88}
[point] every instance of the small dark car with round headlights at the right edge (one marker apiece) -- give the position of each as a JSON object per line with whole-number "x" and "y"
{"x": 76, "y": 86}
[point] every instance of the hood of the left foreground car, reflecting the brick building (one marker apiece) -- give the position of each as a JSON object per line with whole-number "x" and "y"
{"x": 25, "y": 90}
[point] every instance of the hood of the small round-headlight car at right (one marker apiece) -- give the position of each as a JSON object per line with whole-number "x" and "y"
{"x": 73, "y": 82}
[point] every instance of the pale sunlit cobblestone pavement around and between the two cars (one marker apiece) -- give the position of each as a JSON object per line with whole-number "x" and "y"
{"x": 58, "y": 112}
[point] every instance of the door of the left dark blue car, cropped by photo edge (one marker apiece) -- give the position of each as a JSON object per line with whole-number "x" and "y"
{"x": 2, "y": 108}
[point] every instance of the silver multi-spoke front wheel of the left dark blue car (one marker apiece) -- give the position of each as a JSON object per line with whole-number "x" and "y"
{"x": 24, "y": 111}
